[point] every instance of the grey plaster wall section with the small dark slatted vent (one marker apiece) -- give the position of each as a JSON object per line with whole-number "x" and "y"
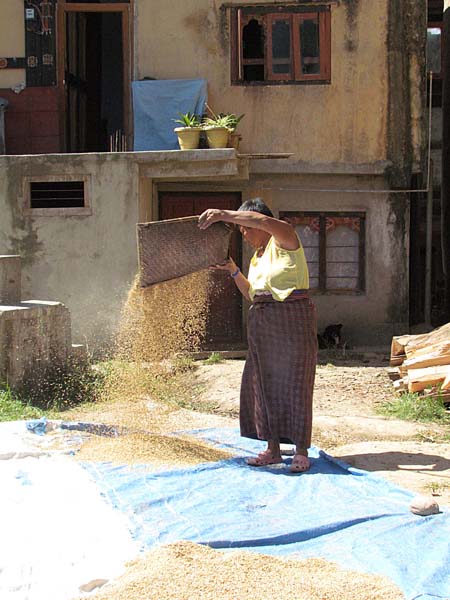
{"x": 86, "y": 262}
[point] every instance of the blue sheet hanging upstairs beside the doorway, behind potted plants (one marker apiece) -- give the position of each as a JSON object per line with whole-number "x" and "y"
{"x": 157, "y": 103}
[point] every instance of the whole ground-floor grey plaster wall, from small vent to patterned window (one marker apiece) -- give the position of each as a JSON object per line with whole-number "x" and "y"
{"x": 89, "y": 262}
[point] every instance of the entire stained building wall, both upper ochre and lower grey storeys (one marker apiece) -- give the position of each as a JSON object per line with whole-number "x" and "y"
{"x": 363, "y": 130}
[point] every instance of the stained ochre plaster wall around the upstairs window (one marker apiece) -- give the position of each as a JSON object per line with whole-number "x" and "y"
{"x": 341, "y": 122}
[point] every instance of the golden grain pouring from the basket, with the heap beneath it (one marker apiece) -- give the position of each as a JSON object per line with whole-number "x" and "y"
{"x": 159, "y": 323}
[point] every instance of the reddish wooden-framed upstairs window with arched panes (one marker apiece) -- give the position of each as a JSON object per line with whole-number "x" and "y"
{"x": 281, "y": 44}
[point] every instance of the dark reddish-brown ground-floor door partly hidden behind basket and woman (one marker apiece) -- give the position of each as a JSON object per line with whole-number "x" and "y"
{"x": 224, "y": 326}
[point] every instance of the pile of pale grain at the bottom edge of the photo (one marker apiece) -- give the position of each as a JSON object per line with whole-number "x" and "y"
{"x": 187, "y": 571}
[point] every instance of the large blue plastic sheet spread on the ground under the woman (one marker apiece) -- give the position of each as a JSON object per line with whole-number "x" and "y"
{"x": 332, "y": 511}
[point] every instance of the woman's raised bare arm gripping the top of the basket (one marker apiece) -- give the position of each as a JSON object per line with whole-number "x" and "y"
{"x": 283, "y": 232}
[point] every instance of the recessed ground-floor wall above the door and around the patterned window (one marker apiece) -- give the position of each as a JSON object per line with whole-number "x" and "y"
{"x": 381, "y": 311}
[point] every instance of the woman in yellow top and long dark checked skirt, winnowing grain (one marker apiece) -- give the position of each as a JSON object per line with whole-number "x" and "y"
{"x": 278, "y": 378}
